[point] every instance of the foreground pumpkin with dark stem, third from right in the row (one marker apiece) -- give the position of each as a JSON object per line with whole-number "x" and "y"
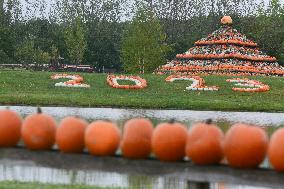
{"x": 204, "y": 143}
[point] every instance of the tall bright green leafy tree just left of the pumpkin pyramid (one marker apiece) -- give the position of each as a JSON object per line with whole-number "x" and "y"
{"x": 143, "y": 43}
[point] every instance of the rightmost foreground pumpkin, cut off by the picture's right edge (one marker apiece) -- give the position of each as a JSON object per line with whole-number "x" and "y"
{"x": 276, "y": 150}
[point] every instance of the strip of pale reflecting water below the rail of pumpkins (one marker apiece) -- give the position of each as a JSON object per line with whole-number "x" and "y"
{"x": 25, "y": 171}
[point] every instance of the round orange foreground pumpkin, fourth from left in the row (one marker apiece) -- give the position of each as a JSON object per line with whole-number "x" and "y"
{"x": 102, "y": 138}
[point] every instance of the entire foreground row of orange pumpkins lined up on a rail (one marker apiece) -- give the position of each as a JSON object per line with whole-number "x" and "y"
{"x": 243, "y": 146}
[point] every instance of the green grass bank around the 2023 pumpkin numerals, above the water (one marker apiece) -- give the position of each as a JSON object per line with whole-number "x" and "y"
{"x": 36, "y": 88}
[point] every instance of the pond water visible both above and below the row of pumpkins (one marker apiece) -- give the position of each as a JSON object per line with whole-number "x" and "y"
{"x": 29, "y": 171}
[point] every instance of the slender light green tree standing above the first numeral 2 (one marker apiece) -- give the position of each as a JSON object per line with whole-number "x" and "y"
{"x": 75, "y": 41}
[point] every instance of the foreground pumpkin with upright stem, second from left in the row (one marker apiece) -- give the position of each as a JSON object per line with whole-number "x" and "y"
{"x": 38, "y": 131}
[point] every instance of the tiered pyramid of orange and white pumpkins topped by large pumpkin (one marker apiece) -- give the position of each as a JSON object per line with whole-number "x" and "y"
{"x": 224, "y": 52}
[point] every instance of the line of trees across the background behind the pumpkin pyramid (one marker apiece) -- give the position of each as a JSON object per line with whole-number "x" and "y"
{"x": 124, "y": 35}
